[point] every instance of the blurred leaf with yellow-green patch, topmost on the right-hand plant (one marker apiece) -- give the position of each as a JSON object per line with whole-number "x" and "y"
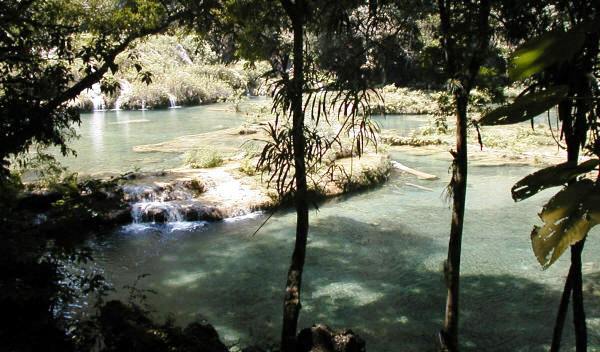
{"x": 544, "y": 51}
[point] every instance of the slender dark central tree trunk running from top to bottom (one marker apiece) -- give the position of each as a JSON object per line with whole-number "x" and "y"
{"x": 291, "y": 305}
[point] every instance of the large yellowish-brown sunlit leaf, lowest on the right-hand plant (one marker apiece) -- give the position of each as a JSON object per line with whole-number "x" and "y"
{"x": 567, "y": 217}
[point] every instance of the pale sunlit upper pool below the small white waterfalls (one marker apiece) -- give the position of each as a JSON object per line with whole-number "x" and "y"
{"x": 107, "y": 138}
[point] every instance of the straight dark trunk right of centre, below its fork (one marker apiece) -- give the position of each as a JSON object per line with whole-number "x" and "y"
{"x": 449, "y": 333}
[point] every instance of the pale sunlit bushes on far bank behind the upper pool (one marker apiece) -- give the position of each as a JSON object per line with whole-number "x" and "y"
{"x": 181, "y": 66}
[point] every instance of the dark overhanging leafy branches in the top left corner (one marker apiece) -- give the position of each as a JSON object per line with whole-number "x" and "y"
{"x": 41, "y": 42}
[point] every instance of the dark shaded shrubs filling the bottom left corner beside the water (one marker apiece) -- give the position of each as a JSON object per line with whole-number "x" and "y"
{"x": 43, "y": 234}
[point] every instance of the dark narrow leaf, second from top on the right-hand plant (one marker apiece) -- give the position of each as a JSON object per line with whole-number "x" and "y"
{"x": 525, "y": 107}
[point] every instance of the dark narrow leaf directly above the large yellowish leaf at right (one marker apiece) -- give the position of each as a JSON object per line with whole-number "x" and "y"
{"x": 552, "y": 176}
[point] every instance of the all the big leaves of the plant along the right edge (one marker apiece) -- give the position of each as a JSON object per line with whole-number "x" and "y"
{"x": 541, "y": 57}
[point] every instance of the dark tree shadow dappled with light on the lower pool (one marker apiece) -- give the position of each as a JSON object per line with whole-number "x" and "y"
{"x": 357, "y": 275}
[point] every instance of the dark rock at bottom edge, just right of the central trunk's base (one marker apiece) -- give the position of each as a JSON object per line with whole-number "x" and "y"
{"x": 320, "y": 338}
